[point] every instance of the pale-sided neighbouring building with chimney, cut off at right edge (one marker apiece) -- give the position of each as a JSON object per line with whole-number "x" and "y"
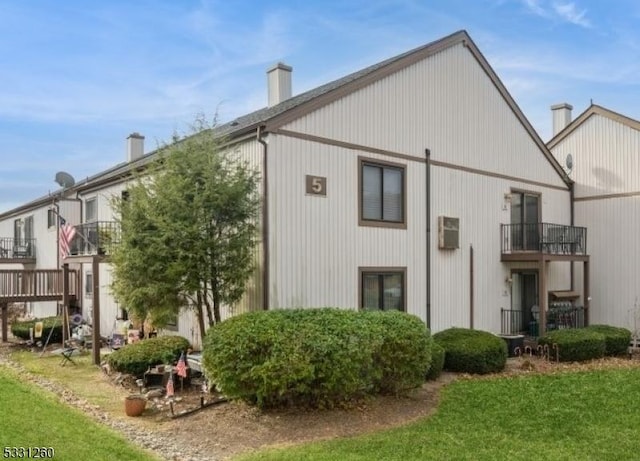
{"x": 601, "y": 152}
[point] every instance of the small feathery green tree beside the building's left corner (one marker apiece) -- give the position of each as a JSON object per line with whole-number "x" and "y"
{"x": 188, "y": 231}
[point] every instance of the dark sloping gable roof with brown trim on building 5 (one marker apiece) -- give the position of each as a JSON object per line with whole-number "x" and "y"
{"x": 271, "y": 118}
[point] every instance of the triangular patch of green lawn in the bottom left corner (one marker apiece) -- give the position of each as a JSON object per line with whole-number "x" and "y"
{"x": 30, "y": 417}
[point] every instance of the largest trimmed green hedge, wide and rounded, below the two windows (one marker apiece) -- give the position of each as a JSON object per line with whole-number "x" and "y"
{"x": 315, "y": 357}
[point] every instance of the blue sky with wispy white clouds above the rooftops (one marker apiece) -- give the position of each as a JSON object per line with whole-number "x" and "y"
{"x": 79, "y": 76}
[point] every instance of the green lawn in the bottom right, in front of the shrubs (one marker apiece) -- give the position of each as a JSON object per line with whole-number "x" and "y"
{"x": 567, "y": 416}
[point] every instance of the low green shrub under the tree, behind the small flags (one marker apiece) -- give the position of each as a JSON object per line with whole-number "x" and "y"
{"x": 136, "y": 358}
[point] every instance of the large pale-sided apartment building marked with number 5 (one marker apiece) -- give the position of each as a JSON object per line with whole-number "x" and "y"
{"x": 414, "y": 184}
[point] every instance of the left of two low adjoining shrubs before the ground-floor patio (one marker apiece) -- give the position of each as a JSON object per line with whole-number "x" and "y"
{"x": 575, "y": 345}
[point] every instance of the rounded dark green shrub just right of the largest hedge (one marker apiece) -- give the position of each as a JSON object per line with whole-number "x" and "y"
{"x": 472, "y": 351}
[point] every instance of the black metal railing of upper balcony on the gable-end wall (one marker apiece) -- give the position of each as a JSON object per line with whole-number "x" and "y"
{"x": 554, "y": 239}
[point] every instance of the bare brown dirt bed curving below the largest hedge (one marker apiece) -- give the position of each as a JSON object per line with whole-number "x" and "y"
{"x": 232, "y": 428}
